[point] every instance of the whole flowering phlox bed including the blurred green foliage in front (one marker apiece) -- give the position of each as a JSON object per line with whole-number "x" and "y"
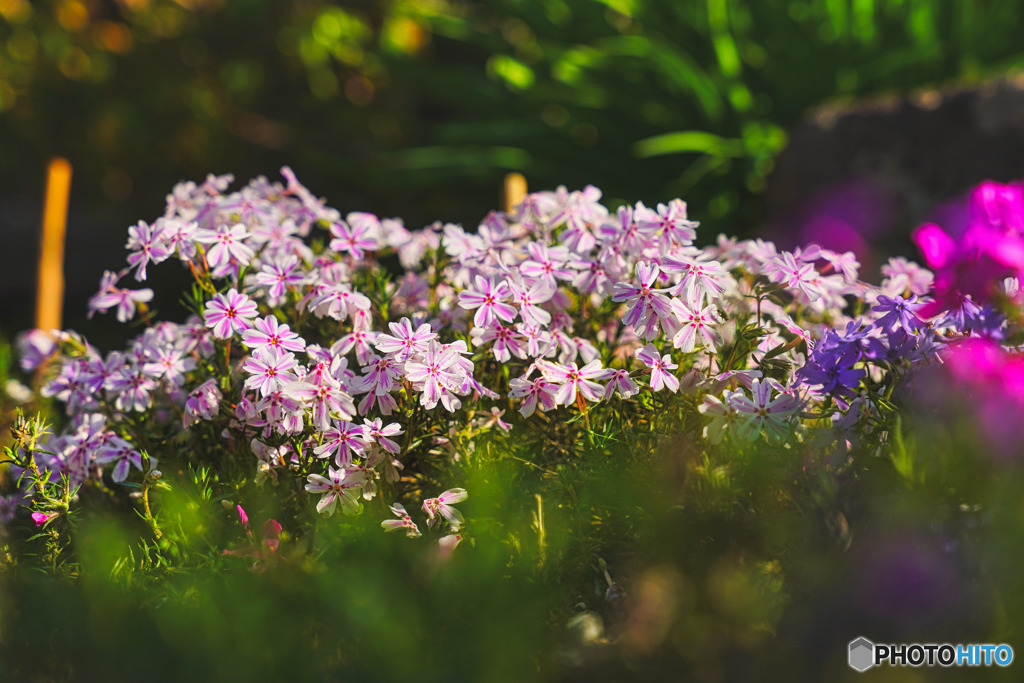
{"x": 612, "y": 451}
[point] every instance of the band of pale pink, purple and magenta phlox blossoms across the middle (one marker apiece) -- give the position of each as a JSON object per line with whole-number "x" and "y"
{"x": 327, "y": 357}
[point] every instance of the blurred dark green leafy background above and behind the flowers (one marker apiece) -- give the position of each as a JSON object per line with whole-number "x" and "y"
{"x": 418, "y": 109}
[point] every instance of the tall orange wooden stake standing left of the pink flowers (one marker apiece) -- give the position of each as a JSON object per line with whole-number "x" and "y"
{"x": 50, "y": 290}
